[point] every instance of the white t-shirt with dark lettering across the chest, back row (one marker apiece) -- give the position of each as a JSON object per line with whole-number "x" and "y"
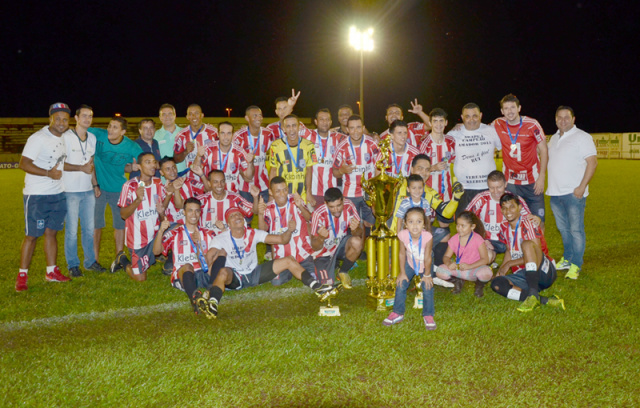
{"x": 474, "y": 155}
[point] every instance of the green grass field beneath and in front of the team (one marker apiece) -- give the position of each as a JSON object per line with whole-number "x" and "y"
{"x": 104, "y": 340}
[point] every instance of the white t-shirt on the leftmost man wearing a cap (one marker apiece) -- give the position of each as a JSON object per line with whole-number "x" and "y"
{"x": 47, "y": 151}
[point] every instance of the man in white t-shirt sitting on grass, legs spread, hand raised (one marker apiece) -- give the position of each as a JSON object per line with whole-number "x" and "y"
{"x": 241, "y": 264}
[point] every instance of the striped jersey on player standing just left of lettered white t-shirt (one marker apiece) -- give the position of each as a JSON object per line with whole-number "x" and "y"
{"x": 438, "y": 152}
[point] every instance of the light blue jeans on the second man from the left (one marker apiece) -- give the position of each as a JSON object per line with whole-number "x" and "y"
{"x": 79, "y": 205}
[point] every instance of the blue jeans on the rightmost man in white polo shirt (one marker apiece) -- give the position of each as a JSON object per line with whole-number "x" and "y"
{"x": 569, "y": 214}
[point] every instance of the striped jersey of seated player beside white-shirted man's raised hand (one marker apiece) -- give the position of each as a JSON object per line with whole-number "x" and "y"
{"x": 277, "y": 218}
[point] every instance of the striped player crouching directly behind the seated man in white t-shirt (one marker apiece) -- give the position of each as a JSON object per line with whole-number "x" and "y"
{"x": 216, "y": 202}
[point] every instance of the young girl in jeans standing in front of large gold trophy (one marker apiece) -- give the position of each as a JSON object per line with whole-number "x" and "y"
{"x": 415, "y": 259}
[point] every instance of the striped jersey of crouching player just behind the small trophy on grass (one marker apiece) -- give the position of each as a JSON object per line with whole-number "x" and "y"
{"x": 337, "y": 230}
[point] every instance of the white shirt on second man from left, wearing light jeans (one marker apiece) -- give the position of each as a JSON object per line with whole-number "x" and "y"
{"x": 79, "y": 153}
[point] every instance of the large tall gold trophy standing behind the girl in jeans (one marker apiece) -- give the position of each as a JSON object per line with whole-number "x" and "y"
{"x": 382, "y": 190}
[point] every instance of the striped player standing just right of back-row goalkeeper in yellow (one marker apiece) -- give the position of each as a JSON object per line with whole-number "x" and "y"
{"x": 326, "y": 144}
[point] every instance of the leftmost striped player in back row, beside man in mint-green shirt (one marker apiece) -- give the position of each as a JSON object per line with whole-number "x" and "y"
{"x": 194, "y": 135}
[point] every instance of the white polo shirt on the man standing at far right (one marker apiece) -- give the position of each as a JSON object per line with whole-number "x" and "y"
{"x": 567, "y": 161}
